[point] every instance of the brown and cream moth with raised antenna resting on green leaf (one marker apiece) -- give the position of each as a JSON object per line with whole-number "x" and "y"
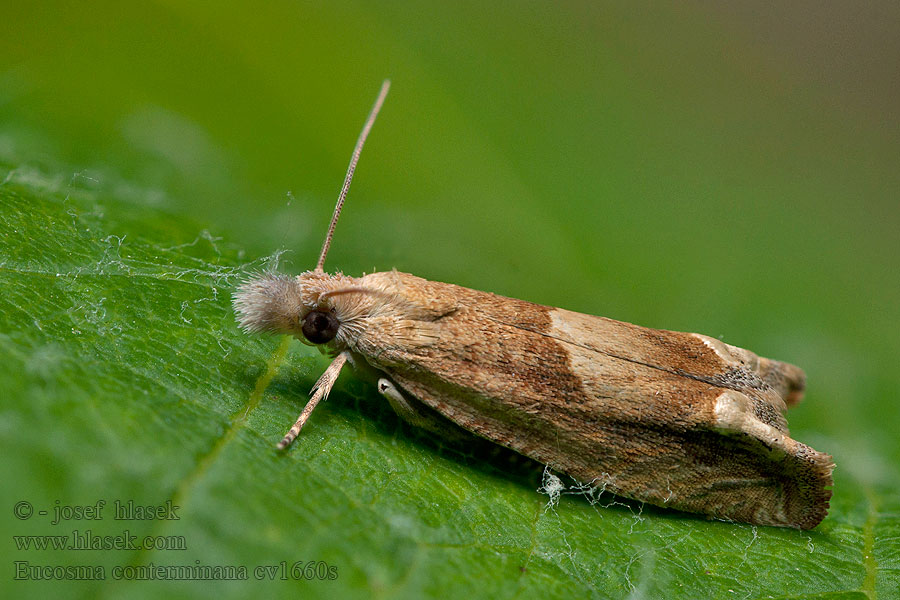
{"x": 678, "y": 420}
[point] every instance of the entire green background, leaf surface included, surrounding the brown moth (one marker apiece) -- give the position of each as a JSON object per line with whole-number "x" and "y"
{"x": 721, "y": 168}
